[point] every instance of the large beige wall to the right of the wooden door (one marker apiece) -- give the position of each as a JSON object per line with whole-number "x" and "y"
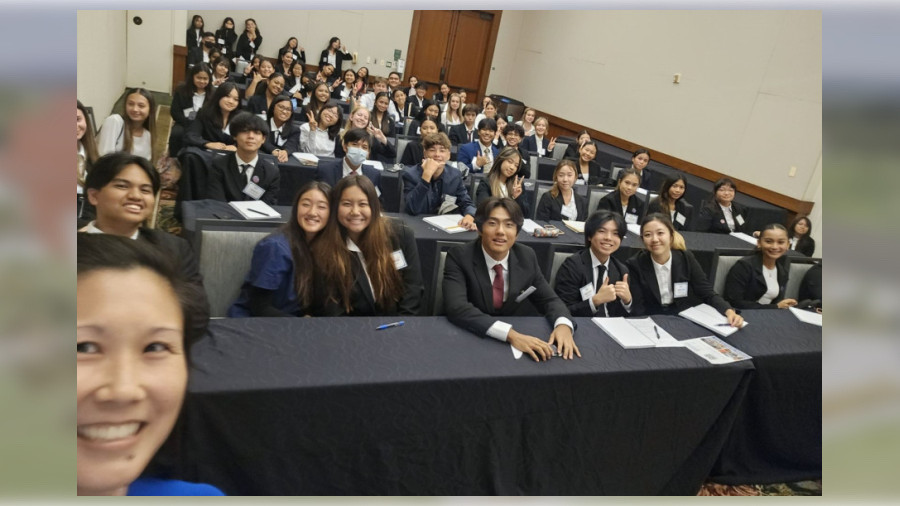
{"x": 750, "y": 99}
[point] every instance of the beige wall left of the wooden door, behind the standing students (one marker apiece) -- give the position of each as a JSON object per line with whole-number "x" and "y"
{"x": 372, "y": 34}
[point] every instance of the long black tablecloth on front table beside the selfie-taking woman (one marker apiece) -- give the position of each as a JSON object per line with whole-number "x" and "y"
{"x": 316, "y": 406}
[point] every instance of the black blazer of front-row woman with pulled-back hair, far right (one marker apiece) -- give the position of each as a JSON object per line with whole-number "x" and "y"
{"x": 745, "y": 283}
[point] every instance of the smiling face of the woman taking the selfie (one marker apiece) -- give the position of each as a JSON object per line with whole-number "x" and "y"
{"x": 131, "y": 375}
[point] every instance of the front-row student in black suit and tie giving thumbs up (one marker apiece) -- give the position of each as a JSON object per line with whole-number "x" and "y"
{"x": 592, "y": 282}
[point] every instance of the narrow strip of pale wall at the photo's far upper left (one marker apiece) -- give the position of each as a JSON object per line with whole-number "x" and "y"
{"x": 101, "y": 59}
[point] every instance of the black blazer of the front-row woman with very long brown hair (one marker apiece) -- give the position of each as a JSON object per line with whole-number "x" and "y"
{"x": 362, "y": 302}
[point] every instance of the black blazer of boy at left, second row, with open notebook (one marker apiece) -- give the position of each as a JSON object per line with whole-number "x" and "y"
{"x": 227, "y": 184}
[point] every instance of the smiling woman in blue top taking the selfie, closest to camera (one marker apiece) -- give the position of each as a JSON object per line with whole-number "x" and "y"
{"x": 135, "y": 323}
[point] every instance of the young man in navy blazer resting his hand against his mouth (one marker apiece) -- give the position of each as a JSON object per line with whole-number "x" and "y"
{"x": 432, "y": 187}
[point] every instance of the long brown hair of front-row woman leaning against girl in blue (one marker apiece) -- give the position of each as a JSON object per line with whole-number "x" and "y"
{"x": 335, "y": 261}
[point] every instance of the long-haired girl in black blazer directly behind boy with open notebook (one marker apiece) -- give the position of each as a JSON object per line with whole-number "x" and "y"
{"x": 211, "y": 129}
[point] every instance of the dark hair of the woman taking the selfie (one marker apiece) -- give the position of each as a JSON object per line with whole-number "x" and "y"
{"x": 98, "y": 252}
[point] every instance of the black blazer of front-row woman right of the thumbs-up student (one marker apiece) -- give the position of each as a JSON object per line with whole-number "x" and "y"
{"x": 685, "y": 268}
